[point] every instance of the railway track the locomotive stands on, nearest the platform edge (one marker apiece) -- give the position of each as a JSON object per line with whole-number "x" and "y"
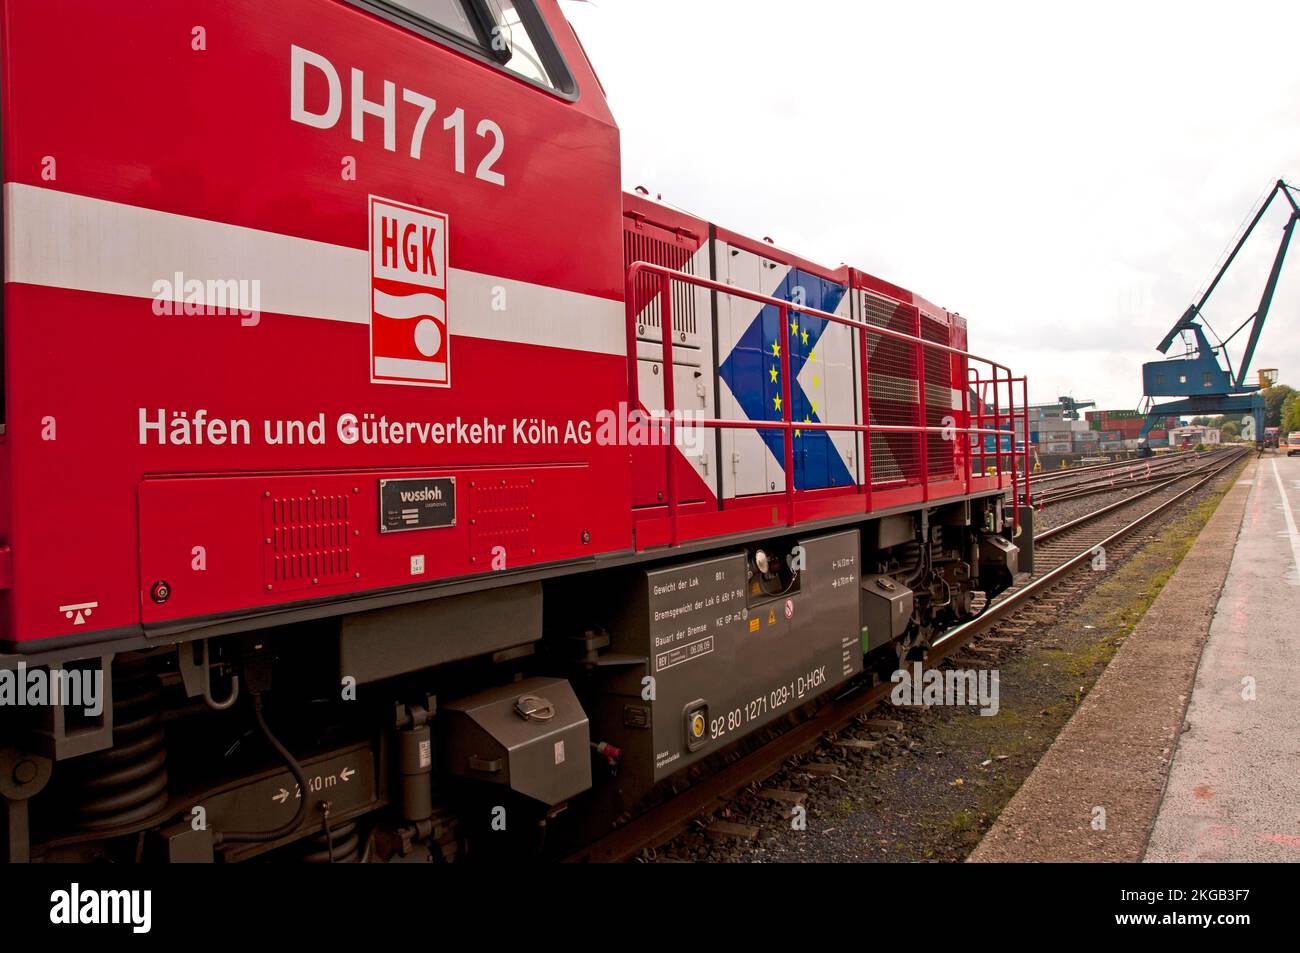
{"x": 1058, "y": 552}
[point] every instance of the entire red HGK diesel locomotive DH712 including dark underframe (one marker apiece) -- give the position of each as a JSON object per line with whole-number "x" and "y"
{"x": 375, "y": 470}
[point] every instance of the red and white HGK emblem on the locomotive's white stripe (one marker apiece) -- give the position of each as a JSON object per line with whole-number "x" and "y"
{"x": 410, "y": 340}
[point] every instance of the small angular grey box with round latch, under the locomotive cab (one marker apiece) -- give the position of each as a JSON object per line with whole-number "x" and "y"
{"x": 531, "y": 737}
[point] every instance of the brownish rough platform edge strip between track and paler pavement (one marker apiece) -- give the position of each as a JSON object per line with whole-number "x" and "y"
{"x": 1097, "y": 792}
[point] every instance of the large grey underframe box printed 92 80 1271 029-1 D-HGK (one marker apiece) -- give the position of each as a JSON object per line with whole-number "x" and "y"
{"x": 722, "y": 649}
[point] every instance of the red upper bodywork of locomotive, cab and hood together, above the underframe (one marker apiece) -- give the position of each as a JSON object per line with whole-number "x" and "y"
{"x": 430, "y": 332}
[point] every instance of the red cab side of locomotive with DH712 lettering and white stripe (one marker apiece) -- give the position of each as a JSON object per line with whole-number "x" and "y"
{"x": 183, "y": 161}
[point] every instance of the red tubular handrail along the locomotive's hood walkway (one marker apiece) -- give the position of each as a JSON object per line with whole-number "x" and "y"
{"x": 668, "y": 276}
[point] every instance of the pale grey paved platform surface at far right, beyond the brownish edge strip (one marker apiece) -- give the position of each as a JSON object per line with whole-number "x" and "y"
{"x": 1234, "y": 791}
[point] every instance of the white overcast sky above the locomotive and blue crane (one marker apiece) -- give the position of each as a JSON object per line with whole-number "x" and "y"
{"x": 1065, "y": 176}
